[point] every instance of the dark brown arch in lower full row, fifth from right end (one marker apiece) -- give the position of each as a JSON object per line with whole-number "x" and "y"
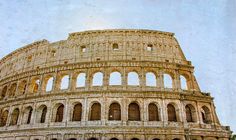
{"x": 134, "y": 112}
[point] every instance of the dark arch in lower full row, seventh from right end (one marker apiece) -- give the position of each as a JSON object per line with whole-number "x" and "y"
{"x": 95, "y": 112}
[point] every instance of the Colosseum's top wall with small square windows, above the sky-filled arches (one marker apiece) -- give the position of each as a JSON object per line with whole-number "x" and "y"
{"x": 95, "y": 46}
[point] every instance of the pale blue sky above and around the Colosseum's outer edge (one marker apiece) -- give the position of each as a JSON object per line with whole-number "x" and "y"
{"x": 205, "y": 29}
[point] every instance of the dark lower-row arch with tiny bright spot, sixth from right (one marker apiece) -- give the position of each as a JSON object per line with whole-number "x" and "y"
{"x": 114, "y": 112}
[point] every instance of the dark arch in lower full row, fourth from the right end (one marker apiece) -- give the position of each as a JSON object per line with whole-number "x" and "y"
{"x": 153, "y": 112}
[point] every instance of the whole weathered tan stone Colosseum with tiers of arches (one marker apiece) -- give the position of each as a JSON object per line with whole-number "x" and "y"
{"x": 105, "y": 85}
